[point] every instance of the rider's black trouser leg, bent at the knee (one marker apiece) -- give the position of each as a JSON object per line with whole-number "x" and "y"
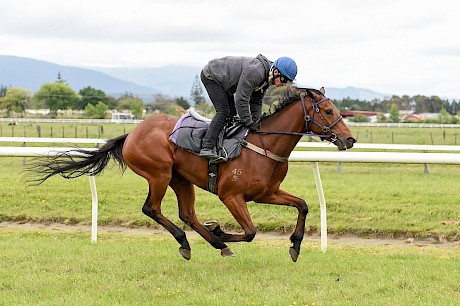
{"x": 225, "y": 108}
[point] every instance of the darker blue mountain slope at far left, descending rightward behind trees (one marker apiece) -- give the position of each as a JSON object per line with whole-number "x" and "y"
{"x": 31, "y": 74}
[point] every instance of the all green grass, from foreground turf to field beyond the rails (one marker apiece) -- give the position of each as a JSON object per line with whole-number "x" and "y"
{"x": 45, "y": 267}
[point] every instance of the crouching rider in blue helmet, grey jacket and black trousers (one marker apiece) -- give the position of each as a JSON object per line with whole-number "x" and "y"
{"x": 236, "y": 85}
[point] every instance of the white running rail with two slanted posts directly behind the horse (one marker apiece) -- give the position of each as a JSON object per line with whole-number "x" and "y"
{"x": 304, "y": 156}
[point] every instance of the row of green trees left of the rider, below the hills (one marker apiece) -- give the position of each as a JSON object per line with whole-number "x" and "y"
{"x": 94, "y": 103}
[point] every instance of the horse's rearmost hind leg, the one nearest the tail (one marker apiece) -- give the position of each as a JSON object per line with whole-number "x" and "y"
{"x": 152, "y": 208}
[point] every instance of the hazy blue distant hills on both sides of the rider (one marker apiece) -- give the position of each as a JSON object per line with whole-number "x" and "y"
{"x": 174, "y": 81}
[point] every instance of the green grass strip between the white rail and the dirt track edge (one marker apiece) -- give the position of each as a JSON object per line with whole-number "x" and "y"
{"x": 364, "y": 199}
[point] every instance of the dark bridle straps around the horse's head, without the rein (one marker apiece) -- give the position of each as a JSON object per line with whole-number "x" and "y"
{"x": 310, "y": 120}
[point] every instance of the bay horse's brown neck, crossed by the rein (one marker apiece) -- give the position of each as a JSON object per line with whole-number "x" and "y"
{"x": 290, "y": 119}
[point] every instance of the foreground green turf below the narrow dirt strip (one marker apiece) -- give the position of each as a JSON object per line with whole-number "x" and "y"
{"x": 52, "y": 268}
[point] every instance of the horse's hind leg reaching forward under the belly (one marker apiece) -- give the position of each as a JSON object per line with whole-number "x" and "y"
{"x": 185, "y": 193}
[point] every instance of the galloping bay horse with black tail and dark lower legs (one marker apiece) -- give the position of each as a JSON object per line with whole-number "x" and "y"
{"x": 255, "y": 175}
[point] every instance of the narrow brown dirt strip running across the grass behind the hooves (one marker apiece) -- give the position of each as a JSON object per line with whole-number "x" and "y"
{"x": 340, "y": 239}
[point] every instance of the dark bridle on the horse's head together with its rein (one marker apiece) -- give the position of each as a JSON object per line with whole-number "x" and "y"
{"x": 310, "y": 120}
